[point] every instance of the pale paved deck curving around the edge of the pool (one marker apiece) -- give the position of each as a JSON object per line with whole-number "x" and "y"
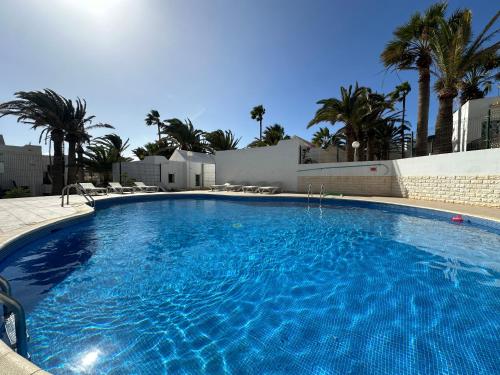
{"x": 21, "y": 216}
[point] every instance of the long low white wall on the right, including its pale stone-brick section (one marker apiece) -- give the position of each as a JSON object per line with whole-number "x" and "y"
{"x": 466, "y": 177}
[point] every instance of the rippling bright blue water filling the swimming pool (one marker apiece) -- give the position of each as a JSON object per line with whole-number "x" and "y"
{"x": 194, "y": 286}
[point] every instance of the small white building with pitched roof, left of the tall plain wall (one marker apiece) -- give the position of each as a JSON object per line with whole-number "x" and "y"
{"x": 185, "y": 170}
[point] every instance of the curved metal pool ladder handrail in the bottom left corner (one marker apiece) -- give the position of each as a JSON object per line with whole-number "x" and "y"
{"x": 12, "y": 306}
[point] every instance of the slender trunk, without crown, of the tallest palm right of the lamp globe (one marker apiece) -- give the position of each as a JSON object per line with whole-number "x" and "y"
{"x": 424, "y": 93}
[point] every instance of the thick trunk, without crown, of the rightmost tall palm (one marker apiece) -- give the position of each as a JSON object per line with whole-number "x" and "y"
{"x": 444, "y": 122}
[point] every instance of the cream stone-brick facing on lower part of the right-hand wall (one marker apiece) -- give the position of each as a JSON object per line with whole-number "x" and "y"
{"x": 475, "y": 190}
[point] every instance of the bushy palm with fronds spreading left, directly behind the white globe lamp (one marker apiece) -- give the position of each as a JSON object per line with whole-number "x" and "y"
{"x": 349, "y": 110}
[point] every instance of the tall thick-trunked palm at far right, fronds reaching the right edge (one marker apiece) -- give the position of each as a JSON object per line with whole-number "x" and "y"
{"x": 455, "y": 52}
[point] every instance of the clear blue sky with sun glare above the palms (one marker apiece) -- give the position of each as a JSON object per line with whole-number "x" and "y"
{"x": 211, "y": 61}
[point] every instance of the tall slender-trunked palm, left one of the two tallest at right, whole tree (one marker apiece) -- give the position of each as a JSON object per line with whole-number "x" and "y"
{"x": 411, "y": 49}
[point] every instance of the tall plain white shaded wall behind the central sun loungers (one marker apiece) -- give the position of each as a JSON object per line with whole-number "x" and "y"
{"x": 260, "y": 165}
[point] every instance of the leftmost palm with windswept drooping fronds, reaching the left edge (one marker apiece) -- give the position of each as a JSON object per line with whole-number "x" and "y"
{"x": 49, "y": 111}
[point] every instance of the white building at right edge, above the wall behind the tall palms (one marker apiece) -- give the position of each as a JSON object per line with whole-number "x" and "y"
{"x": 470, "y": 124}
